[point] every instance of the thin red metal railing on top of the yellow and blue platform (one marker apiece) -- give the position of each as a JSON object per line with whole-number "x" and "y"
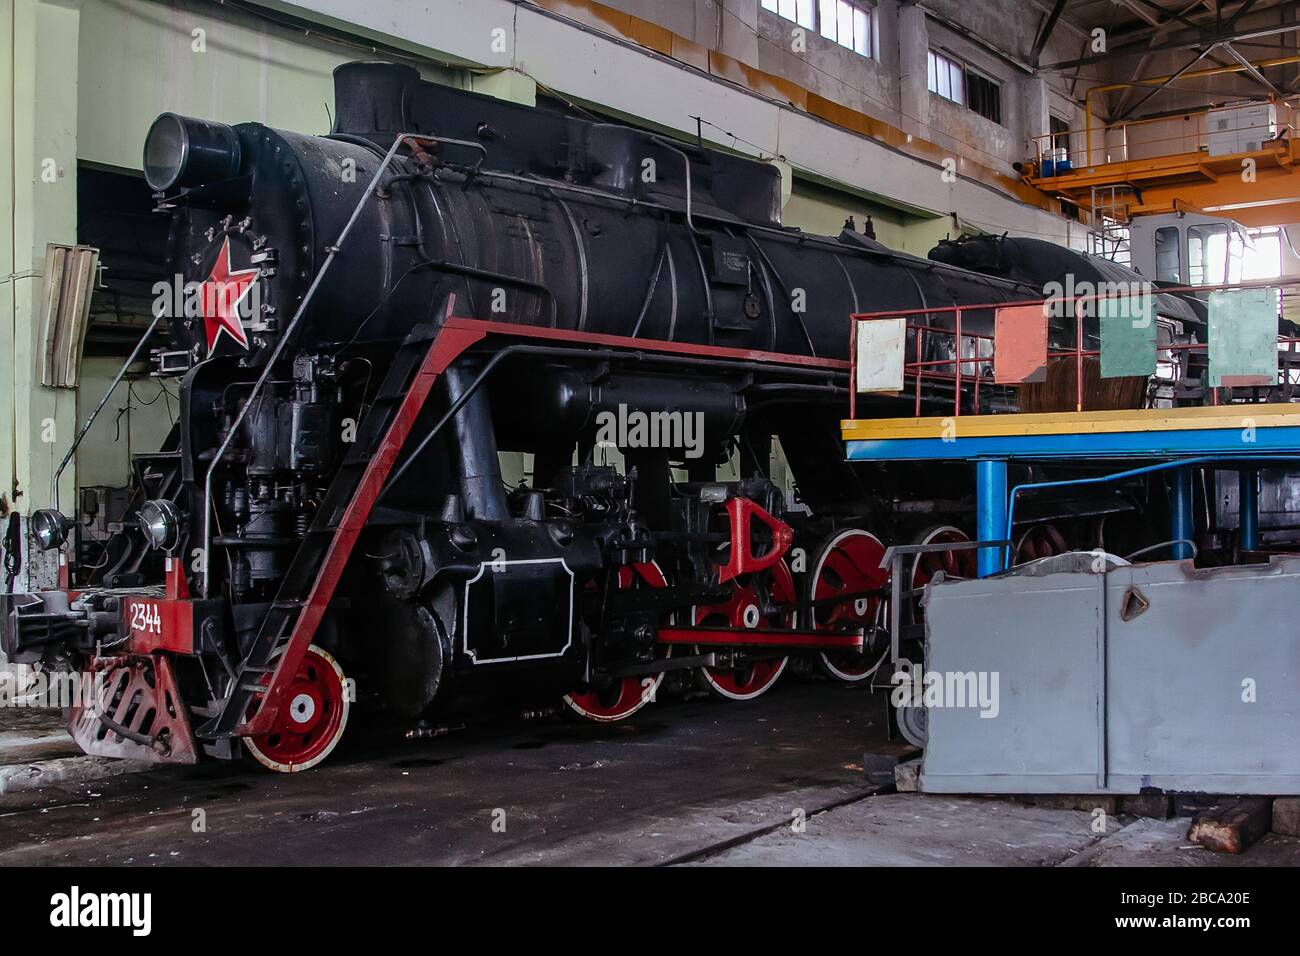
{"x": 921, "y": 327}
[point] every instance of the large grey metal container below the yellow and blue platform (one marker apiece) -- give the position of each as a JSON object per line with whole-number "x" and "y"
{"x": 1150, "y": 676}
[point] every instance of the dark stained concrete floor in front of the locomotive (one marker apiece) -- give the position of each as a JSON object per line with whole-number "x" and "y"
{"x": 684, "y": 782}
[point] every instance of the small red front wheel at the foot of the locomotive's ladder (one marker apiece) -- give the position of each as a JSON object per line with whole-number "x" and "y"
{"x": 311, "y": 720}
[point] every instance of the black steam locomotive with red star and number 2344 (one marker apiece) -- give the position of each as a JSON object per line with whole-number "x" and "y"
{"x": 366, "y": 325}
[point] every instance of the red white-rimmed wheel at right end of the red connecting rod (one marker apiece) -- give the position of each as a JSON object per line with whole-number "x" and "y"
{"x": 850, "y": 564}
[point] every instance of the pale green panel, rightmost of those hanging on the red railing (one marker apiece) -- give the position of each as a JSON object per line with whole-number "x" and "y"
{"x": 1243, "y": 347}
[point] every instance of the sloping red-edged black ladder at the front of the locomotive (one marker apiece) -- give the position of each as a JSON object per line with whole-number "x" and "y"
{"x": 319, "y": 564}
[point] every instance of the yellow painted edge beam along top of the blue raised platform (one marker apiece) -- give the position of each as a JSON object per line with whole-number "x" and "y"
{"x": 1074, "y": 423}
